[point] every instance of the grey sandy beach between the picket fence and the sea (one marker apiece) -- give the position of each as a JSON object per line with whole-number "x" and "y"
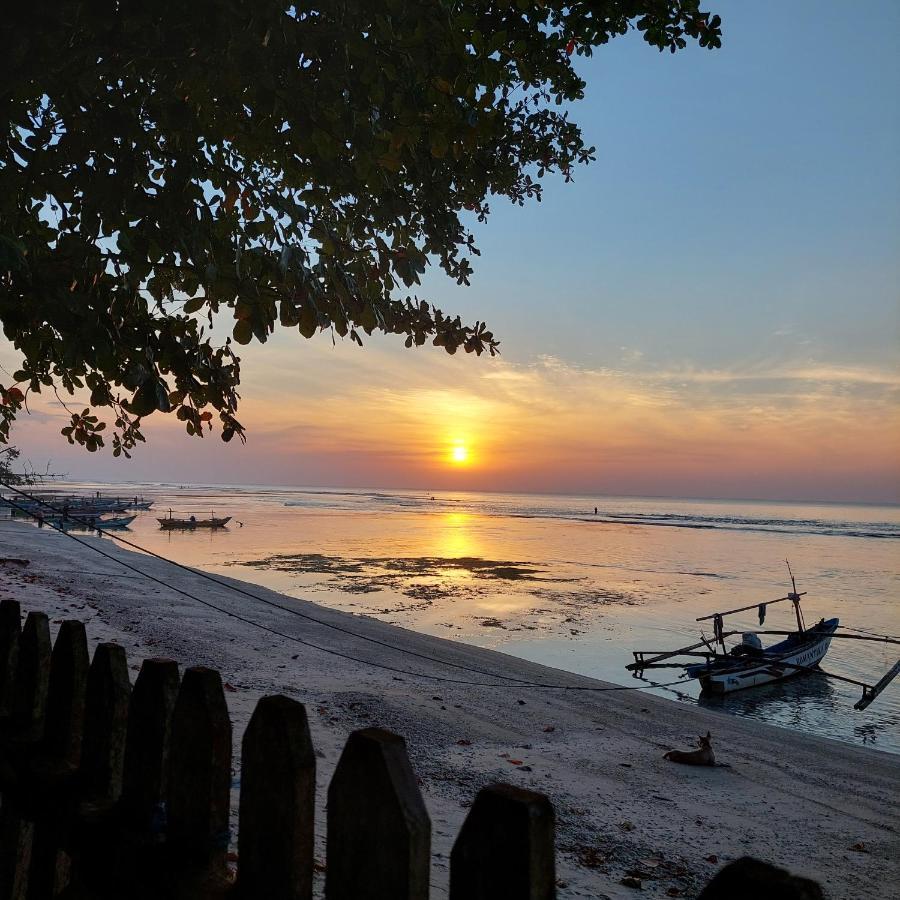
{"x": 797, "y": 801}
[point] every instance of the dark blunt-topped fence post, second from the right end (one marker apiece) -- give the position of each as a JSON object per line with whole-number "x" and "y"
{"x": 505, "y": 848}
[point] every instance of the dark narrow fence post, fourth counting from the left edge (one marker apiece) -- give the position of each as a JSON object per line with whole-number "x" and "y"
{"x": 106, "y": 721}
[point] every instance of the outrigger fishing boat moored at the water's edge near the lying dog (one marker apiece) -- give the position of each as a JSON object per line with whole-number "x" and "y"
{"x": 749, "y": 664}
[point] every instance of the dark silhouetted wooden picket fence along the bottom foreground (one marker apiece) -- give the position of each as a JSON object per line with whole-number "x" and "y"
{"x": 110, "y": 791}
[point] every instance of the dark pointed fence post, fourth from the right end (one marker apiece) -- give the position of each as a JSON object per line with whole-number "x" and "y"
{"x": 277, "y": 807}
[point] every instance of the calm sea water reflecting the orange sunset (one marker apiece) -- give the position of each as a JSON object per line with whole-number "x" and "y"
{"x": 547, "y": 579}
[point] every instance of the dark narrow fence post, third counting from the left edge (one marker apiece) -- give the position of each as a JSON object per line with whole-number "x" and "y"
{"x": 64, "y": 727}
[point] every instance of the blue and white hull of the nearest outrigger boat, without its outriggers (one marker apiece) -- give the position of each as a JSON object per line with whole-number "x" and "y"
{"x": 775, "y": 664}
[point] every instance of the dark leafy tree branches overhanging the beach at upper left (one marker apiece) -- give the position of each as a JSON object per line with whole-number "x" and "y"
{"x": 171, "y": 167}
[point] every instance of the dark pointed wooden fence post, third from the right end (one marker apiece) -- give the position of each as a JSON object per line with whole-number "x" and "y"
{"x": 379, "y": 833}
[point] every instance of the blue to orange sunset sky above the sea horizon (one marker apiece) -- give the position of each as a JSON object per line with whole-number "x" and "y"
{"x": 712, "y": 309}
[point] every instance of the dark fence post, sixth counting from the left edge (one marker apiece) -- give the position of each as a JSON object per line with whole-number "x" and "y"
{"x": 200, "y": 773}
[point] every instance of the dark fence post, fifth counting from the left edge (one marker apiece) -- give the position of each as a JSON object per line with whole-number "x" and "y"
{"x": 147, "y": 743}
